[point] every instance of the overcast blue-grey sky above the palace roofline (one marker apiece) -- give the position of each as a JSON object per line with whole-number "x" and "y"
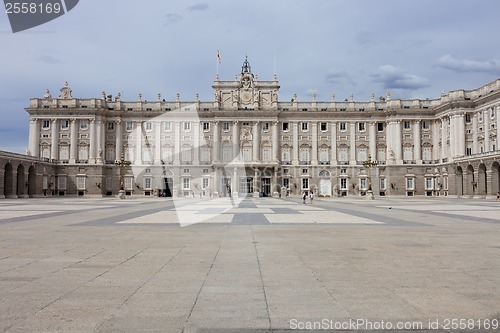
{"x": 412, "y": 48}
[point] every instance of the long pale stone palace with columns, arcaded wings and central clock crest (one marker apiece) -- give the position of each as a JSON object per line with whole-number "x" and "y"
{"x": 245, "y": 142}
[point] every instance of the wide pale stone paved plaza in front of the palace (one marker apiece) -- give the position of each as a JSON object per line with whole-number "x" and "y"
{"x": 256, "y": 265}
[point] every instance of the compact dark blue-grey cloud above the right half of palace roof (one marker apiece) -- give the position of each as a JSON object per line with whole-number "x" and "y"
{"x": 395, "y": 78}
